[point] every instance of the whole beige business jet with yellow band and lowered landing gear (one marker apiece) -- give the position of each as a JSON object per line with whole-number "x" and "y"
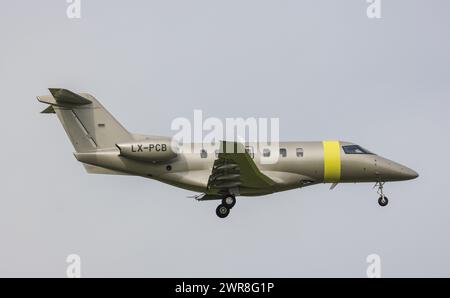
{"x": 104, "y": 146}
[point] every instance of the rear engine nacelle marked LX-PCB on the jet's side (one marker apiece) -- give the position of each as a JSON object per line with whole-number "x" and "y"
{"x": 148, "y": 150}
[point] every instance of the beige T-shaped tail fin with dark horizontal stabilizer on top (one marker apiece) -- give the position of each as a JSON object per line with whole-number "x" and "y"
{"x": 88, "y": 124}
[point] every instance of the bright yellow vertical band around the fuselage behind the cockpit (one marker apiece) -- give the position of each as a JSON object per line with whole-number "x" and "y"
{"x": 332, "y": 161}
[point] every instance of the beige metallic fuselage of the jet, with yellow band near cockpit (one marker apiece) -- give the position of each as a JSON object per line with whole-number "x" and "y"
{"x": 299, "y": 164}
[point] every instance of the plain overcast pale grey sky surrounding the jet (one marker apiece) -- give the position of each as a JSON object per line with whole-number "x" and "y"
{"x": 322, "y": 67}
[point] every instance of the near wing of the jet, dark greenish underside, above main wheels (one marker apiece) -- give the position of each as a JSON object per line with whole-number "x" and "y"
{"x": 235, "y": 169}
